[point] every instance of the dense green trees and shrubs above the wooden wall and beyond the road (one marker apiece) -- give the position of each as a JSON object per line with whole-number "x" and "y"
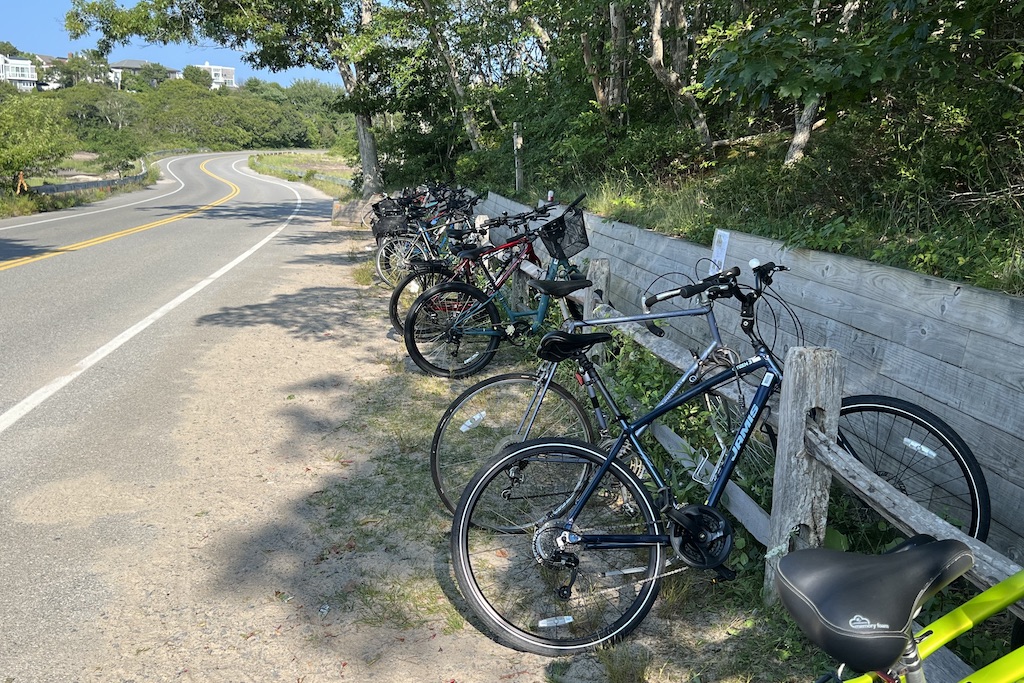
{"x": 917, "y": 161}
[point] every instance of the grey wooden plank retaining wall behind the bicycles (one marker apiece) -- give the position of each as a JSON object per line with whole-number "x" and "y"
{"x": 951, "y": 349}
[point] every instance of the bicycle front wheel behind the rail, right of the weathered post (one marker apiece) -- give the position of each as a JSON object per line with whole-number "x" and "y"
{"x": 921, "y": 456}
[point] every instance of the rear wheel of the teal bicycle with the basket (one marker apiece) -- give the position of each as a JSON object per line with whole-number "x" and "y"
{"x": 440, "y": 331}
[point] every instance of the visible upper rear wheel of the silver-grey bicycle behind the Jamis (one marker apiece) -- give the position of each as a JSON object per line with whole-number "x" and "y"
{"x": 491, "y": 415}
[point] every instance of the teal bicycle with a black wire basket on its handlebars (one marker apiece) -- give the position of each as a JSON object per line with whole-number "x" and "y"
{"x": 454, "y": 329}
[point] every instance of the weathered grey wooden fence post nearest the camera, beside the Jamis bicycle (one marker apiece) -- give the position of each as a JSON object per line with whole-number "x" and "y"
{"x": 812, "y": 389}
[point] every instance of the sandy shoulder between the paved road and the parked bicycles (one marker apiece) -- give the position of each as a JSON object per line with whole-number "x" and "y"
{"x": 234, "y": 586}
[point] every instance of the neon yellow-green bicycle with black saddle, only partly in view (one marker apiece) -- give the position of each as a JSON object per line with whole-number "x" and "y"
{"x": 860, "y": 609}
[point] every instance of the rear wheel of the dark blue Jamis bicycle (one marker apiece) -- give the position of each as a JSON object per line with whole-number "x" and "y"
{"x": 515, "y": 582}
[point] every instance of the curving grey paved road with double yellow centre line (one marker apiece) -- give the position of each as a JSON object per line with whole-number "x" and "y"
{"x": 99, "y": 330}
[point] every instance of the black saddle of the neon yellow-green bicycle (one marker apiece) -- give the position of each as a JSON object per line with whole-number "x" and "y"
{"x": 859, "y": 609}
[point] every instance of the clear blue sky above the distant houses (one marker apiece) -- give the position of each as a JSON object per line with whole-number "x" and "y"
{"x": 37, "y": 26}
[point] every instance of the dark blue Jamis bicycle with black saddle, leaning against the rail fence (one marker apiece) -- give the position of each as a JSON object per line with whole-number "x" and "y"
{"x": 559, "y": 546}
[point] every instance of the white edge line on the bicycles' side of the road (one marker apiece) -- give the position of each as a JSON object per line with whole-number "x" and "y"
{"x": 37, "y": 398}
